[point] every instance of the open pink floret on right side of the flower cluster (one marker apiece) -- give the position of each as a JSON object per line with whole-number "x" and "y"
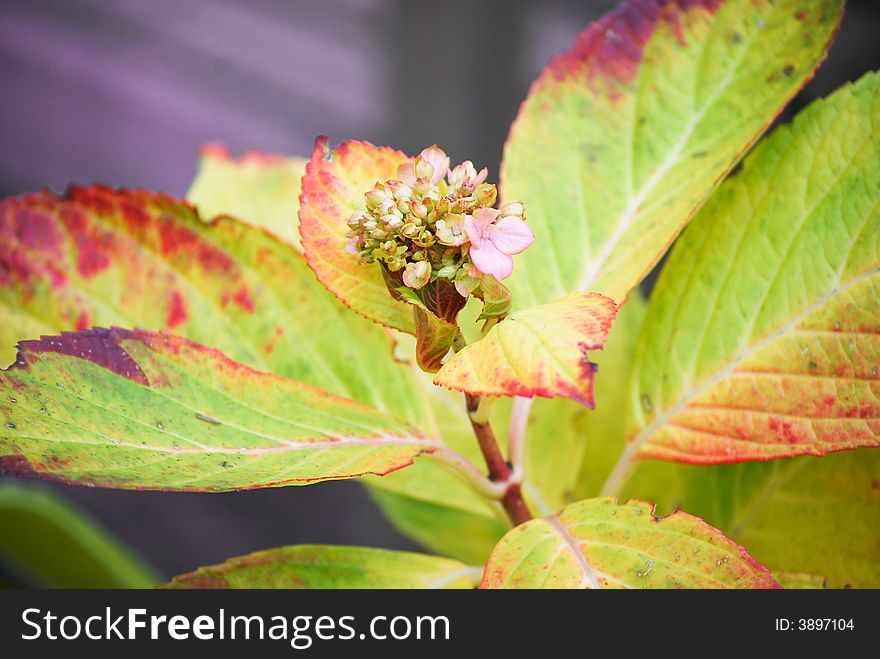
{"x": 494, "y": 241}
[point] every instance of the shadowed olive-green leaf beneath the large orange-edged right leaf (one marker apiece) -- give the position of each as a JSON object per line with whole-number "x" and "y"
{"x": 809, "y": 515}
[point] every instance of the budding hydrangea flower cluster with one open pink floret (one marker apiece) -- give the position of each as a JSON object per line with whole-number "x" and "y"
{"x": 436, "y": 222}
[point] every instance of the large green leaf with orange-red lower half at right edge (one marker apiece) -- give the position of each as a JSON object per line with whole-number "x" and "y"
{"x": 762, "y": 338}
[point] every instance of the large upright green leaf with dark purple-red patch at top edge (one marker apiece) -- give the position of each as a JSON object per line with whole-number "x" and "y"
{"x": 626, "y": 134}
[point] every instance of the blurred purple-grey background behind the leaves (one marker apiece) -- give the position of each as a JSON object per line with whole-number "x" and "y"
{"x": 124, "y": 92}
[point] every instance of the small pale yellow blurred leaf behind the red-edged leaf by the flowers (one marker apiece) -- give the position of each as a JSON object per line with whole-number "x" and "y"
{"x": 260, "y": 188}
